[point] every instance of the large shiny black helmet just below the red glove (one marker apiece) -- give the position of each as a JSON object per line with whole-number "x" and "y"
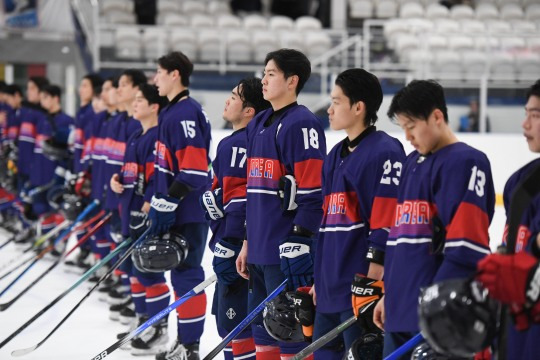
{"x": 457, "y": 317}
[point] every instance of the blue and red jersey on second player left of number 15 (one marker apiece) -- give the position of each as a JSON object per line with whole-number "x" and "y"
{"x": 119, "y": 129}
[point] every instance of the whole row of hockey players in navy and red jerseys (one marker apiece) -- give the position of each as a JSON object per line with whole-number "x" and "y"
{"x": 362, "y": 212}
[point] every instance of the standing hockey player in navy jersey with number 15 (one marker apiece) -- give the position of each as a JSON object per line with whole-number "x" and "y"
{"x": 181, "y": 174}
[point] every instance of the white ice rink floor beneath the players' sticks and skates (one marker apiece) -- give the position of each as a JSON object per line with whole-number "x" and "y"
{"x": 89, "y": 330}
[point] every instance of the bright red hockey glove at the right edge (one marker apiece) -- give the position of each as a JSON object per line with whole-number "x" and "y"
{"x": 511, "y": 278}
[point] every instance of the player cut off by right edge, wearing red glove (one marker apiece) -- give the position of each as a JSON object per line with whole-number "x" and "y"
{"x": 515, "y": 279}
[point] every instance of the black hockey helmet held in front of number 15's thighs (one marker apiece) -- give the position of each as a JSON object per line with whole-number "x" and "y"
{"x": 160, "y": 253}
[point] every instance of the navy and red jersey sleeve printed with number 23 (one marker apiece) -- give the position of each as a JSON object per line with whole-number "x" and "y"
{"x": 384, "y": 188}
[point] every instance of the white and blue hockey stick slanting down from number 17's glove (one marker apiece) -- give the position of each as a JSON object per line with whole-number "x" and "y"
{"x": 196, "y": 290}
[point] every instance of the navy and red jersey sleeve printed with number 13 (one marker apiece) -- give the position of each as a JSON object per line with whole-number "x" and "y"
{"x": 465, "y": 199}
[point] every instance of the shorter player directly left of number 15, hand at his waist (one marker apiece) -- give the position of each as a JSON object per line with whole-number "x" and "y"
{"x": 135, "y": 186}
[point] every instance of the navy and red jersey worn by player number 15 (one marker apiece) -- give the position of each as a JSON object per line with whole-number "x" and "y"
{"x": 182, "y": 155}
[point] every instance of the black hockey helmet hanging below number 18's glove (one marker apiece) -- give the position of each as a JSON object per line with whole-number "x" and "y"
{"x": 280, "y": 321}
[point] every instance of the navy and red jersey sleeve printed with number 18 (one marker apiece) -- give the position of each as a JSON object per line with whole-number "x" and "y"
{"x": 303, "y": 149}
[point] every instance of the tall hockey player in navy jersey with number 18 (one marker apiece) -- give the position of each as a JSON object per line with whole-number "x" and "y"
{"x": 286, "y": 144}
